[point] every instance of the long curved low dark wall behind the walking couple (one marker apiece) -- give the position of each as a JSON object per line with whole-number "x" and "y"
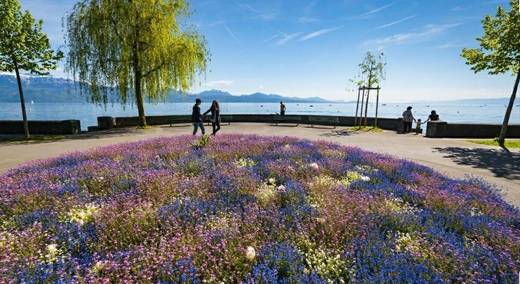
{"x": 384, "y": 123}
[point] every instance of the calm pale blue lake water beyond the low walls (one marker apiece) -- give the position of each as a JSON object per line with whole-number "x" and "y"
{"x": 87, "y": 113}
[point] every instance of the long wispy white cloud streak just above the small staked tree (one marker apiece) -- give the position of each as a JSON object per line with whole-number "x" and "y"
{"x": 402, "y": 38}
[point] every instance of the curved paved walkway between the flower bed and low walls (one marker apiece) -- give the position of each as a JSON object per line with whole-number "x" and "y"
{"x": 454, "y": 157}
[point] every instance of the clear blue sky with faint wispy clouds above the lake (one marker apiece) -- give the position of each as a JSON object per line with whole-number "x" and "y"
{"x": 306, "y": 48}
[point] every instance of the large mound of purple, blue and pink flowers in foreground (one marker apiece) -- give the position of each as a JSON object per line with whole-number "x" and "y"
{"x": 250, "y": 209}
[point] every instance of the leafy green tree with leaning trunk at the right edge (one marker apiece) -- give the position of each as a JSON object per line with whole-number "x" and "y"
{"x": 499, "y": 51}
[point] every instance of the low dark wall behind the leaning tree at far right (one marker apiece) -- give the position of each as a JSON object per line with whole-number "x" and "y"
{"x": 442, "y": 129}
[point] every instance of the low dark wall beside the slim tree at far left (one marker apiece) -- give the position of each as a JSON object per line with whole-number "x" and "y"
{"x": 43, "y": 127}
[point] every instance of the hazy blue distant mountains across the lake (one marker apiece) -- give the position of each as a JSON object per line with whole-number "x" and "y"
{"x": 57, "y": 90}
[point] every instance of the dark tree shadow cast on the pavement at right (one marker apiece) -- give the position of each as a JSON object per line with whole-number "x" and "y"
{"x": 500, "y": 162}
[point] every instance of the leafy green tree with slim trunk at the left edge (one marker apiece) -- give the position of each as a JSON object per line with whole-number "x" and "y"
{"x": 23, "y": 47}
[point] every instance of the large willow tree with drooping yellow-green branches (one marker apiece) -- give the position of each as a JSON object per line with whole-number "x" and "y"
{"x": 136, "y": 46}
